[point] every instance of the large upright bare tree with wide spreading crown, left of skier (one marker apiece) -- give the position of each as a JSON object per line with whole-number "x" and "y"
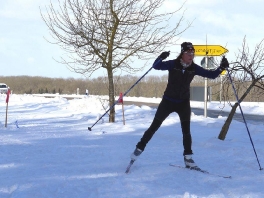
{"x": 108, "y": 33}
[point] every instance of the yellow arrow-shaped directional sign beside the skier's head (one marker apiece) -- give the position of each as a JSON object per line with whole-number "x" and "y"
{"x": 209, "y": 50}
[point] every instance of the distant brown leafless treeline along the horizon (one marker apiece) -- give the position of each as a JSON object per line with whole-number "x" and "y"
{"x": 149, "y": 86}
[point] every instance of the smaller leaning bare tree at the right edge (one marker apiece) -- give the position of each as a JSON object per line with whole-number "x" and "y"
{"x": 247, "y": 73}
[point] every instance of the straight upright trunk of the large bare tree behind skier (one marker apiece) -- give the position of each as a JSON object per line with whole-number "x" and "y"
{"x": 111, "y": 94}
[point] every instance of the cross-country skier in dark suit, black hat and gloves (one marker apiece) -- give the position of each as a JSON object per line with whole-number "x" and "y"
{"x": 176, "y": 97}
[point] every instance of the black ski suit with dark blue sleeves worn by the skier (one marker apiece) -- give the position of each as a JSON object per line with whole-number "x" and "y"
{"x": 176, "y": 98}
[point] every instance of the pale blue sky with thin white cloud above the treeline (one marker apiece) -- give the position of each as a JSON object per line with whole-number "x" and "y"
{"x": 24, "y": 51}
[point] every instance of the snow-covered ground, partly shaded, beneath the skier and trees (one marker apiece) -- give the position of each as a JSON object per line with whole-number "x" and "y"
{"x": 47, "y": 151}
